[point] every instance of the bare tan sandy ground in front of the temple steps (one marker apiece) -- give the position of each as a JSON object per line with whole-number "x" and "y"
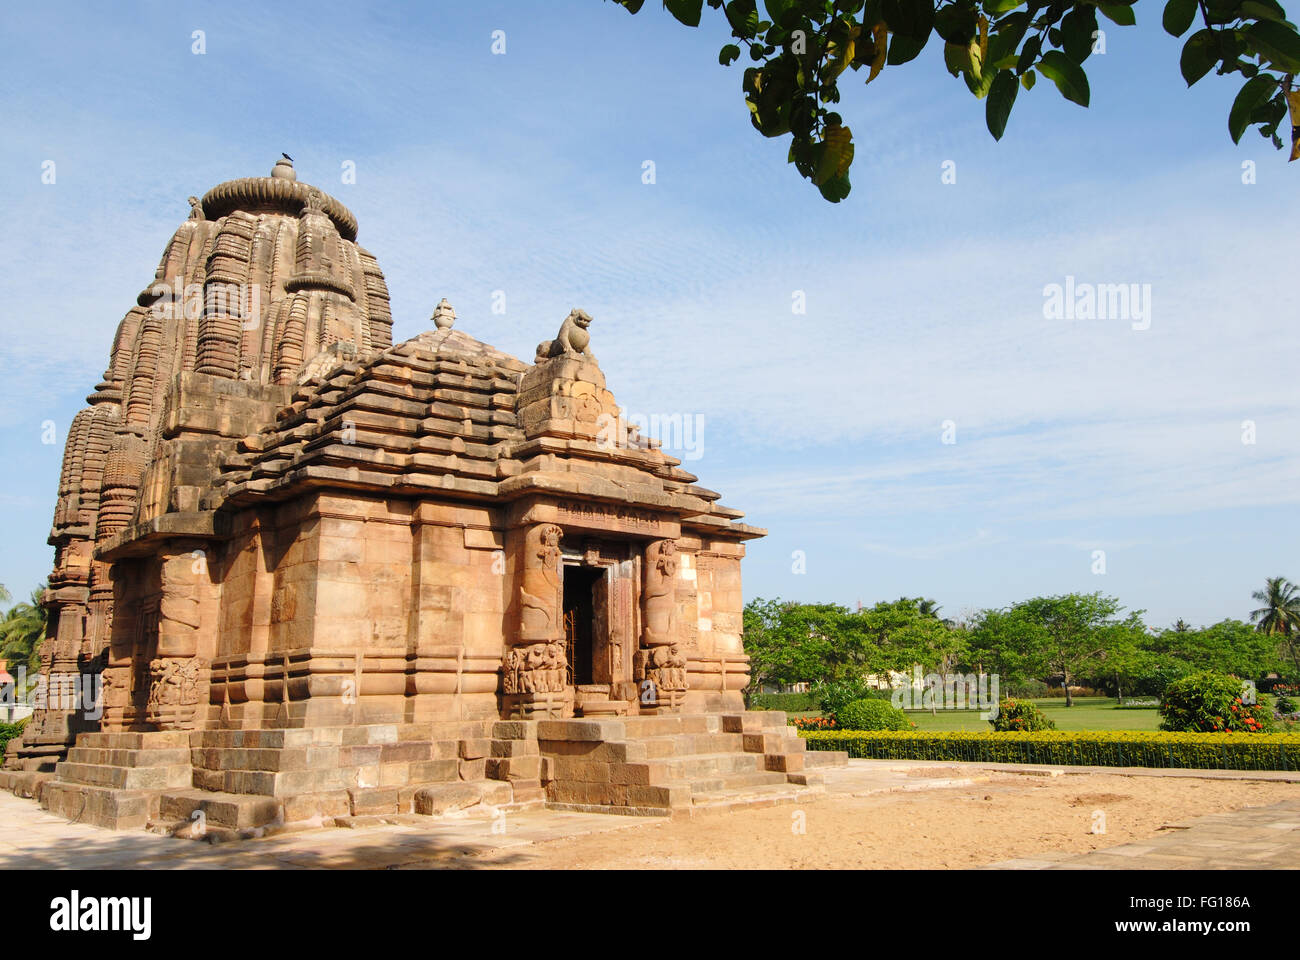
{"x": 1002, "y": 819}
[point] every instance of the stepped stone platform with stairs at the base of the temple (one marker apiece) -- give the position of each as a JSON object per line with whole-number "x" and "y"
{"x": 248, "y": 781}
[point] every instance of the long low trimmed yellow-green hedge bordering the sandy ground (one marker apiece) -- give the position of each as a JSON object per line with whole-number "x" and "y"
{"x": 1084, "y": 749}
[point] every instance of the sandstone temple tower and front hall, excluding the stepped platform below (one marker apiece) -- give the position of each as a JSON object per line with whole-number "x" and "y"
{"x": 271, "y": 517}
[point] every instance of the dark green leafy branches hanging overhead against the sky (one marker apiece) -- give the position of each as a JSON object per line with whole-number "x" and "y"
{"x": 801, "y": 51}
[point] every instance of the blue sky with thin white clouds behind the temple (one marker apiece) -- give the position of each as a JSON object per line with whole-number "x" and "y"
{"x": 523, "y": 174}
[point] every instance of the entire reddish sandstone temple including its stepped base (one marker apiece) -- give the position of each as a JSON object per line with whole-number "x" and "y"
{"x": 311, "y": 574}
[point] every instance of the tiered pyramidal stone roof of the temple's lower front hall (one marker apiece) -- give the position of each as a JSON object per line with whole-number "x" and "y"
{"x": 449, "y": 414}
